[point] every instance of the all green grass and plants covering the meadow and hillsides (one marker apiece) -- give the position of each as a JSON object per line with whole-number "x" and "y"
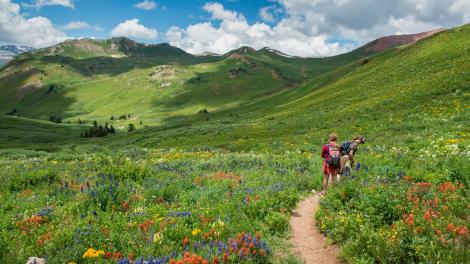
{"x": 411, "y": 102}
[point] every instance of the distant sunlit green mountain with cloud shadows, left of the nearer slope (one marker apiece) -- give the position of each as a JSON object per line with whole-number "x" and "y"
{"x": 91, "y": 79}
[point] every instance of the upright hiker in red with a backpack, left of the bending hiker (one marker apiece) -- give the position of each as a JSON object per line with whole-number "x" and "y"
{"x": 331, "y": 161}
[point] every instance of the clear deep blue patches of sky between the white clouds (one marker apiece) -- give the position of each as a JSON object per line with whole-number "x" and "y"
{"x": 106, "y": 14}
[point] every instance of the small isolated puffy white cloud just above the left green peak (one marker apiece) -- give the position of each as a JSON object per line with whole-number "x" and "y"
{"x": 132, "y": 28}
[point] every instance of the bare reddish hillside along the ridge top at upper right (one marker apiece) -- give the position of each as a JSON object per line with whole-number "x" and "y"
{"x": 391, "y": 41}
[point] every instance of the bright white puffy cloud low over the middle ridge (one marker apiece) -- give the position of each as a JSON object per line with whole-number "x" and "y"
{"x": 233, "y": 31}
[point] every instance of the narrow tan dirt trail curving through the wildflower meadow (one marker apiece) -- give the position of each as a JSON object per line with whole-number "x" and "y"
{"x": 308, "y": 242}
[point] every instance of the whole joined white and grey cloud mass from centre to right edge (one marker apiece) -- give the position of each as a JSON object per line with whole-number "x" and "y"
{"x": 307, "y": 27}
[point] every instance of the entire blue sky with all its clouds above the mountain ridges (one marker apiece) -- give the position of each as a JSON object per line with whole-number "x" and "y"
{"x": 303, "y": 28}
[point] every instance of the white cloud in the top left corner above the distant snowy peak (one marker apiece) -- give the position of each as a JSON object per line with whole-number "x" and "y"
{"x": 17, "y": 29}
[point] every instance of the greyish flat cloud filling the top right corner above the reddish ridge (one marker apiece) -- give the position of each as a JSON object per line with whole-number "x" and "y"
{"x": 369, "y": 19}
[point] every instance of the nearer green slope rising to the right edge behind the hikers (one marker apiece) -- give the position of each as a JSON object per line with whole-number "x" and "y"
{"x": 402, "y": 95}
